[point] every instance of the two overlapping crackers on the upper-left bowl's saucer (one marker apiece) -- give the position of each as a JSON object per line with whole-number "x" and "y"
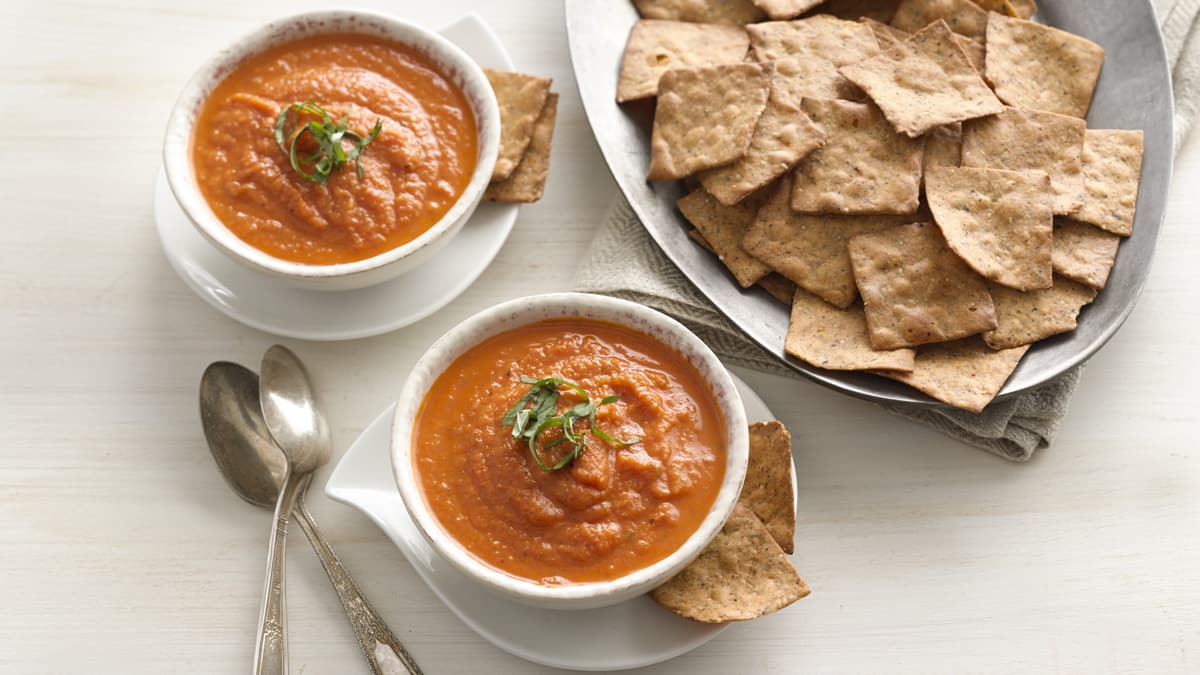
{"x": 527, "y": 127}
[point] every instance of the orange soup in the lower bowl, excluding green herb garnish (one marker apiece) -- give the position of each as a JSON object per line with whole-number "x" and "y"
{"x": 613, "y": 511}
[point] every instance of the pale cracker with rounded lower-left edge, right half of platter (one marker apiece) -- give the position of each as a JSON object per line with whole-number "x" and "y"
{"x": 998, "y": 222}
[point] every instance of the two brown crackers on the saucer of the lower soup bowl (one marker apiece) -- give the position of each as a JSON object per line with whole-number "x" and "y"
{"x": 745, "y": 574}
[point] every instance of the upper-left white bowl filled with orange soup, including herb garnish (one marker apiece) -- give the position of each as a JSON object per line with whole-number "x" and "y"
{"x": 333, "y": 150}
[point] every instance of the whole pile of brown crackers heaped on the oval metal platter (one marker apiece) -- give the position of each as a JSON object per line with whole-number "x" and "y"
{"x": 915, "y": 177}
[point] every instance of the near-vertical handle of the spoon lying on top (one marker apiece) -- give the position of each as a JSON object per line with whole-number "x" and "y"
{"x": 272, "y": 647}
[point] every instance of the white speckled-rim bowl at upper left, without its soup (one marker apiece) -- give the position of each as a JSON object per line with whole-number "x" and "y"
{"x": 451, "y": 61}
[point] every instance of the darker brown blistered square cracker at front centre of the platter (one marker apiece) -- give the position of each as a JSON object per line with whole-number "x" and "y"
{"x": 916, "y": 290}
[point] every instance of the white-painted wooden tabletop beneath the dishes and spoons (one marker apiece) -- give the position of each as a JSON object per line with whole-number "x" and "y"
{"x": 122, "y": 549}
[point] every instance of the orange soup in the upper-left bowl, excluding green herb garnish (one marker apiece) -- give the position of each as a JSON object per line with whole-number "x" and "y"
{"x": 413, "y": 171}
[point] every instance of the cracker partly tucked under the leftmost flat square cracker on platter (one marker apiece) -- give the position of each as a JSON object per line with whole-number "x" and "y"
{"x": 783, "y": 138}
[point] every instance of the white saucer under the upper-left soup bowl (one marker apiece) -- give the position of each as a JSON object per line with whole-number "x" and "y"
{"x": 274, "y": 307}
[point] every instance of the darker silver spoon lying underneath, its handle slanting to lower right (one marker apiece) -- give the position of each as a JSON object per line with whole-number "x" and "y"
{"x": 255, "y": 468}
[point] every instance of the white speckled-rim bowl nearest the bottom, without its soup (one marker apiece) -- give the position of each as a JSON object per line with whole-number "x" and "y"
{"x": 527, "y": 310}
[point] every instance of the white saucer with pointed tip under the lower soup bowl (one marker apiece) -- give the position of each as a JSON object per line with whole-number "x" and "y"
{"x": 631, "y": 635}
